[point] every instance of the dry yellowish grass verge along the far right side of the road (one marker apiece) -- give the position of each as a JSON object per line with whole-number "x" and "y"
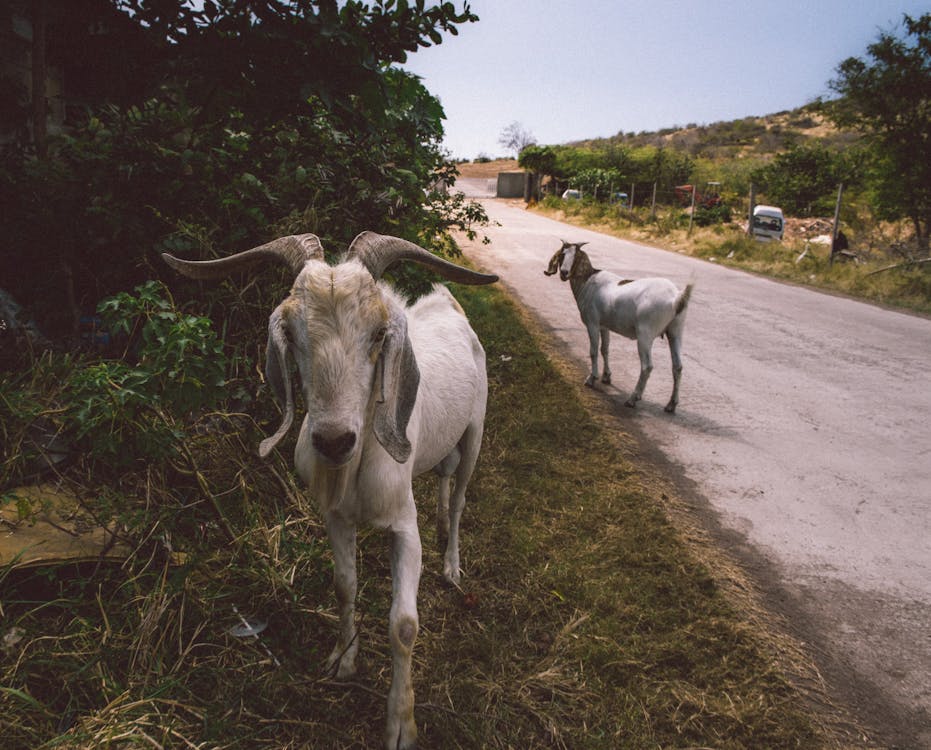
{"x": 907, "y": 288}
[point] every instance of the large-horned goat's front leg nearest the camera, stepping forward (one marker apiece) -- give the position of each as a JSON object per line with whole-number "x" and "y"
{"x": 401, "y": 730}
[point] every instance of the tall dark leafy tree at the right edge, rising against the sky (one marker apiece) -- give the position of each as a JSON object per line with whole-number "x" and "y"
{"x": 888, "y": 98}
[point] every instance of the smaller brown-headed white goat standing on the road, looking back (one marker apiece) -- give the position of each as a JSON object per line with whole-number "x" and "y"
{"x": 641, "y": 310}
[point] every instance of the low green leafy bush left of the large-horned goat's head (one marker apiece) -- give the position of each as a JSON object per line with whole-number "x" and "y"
{"x": 119, "y": 411}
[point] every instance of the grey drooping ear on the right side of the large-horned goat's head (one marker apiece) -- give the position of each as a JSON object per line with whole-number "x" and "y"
{"x": 398, "y": 384}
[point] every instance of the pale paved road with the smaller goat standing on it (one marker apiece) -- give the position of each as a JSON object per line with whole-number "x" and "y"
{"x": 805, "y": 422}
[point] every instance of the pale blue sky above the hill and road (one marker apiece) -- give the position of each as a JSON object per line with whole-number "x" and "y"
{"x": 590, "y": 68}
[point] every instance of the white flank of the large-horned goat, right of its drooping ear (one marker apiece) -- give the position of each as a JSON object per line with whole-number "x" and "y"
{"x": 453, "y": 381}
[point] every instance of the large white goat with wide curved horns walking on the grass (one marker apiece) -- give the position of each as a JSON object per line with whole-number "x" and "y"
{"x": 391, "y": 391}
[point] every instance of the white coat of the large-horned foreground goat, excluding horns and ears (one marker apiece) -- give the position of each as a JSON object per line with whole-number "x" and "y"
{"x": 340, "y": 384}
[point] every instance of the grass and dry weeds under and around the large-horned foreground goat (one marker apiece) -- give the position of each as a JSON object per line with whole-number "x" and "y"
{"x": 586, "y": 619}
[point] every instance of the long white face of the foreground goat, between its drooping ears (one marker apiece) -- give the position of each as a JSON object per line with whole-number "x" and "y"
{"x": 335, "y": 322}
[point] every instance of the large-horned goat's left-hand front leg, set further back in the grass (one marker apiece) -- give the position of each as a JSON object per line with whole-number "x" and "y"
{"x": 342, "y": 536}
